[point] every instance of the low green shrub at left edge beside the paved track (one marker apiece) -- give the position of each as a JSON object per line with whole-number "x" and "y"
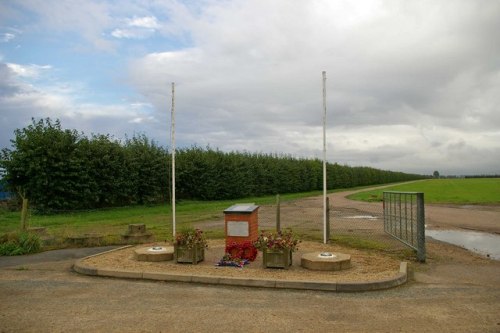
{"x": 19, "y": 243}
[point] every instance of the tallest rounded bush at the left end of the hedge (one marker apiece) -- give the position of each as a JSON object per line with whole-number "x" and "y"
{"x": 45, "y": 166}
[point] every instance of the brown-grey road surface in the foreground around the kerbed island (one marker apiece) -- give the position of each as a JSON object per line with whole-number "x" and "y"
{"x": 41, "y": 293}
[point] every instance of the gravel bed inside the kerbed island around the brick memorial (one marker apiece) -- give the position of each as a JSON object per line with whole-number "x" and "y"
{"x": 365, "y": 266}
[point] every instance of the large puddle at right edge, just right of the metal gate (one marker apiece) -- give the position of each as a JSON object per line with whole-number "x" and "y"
{"x": 479, "y": 242}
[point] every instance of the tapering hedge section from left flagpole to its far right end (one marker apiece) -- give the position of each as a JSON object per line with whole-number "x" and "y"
{"x": 212, "y": 174}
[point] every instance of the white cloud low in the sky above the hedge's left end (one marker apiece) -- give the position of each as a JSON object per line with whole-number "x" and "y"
{"x": 21, "y": 99}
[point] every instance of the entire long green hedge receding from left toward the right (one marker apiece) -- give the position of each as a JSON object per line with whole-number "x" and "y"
{"x": 61, "y": 169}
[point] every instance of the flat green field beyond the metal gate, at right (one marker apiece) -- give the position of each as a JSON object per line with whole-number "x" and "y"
{"x": 469, "y": 191}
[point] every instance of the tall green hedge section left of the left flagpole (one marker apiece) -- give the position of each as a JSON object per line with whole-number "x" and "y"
{"x": 60, "y": 170}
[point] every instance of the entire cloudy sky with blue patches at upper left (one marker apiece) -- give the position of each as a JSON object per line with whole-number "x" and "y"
{"x": 412, "y": 86}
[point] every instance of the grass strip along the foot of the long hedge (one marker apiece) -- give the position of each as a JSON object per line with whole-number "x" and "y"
{"x": 112, "y": 223}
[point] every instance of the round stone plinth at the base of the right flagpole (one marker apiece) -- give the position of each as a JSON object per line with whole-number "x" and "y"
{"x": 325, "y": 261}
